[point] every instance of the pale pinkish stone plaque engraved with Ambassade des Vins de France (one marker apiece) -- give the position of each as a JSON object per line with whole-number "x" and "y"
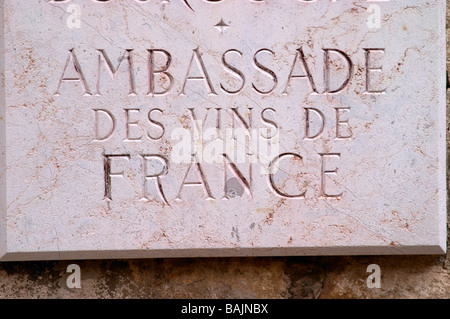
{"x": 222, "y": 128}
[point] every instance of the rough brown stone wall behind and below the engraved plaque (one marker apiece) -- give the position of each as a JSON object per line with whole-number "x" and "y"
{"x": 293, "y": 277}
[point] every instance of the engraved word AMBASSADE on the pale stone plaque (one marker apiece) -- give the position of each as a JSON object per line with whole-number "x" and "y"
{"x": 158, "y": 72}
